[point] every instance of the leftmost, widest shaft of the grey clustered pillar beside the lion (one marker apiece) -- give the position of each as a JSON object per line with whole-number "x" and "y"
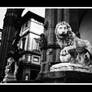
{"x": 51, "y": 18}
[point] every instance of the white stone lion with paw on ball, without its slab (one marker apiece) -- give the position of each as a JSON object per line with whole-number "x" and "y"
{"x": 73, "y": 49}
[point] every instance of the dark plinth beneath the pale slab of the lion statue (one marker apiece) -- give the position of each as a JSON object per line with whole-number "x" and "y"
{"x": 65, "y": 77}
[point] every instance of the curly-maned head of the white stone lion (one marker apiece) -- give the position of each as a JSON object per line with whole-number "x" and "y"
{"x": 64, "y": 34}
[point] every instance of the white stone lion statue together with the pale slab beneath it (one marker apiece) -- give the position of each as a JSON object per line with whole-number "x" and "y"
{"x": 75, "y": 54}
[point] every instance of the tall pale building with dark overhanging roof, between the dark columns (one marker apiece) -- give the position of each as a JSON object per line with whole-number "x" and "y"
{"x": 32, "y": 27}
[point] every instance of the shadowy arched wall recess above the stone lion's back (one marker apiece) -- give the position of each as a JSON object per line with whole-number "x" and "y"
{"x": 86, "y": 27}
